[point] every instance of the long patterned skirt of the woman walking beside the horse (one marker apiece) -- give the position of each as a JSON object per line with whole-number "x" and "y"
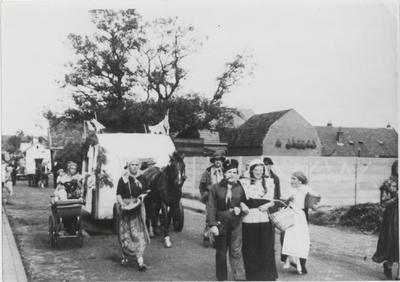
{"x": 133, "y": 235}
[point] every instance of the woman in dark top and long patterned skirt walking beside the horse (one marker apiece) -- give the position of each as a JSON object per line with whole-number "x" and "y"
{"x": 132, "y": 231}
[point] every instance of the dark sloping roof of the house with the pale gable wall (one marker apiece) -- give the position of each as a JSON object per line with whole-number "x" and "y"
{"x": 254, "y": 130}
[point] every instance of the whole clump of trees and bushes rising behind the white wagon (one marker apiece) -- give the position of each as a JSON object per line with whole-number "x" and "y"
{"x": 125, "y": 56}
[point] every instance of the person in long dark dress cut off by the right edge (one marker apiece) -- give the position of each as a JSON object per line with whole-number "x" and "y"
{"x": 387, "y": 250}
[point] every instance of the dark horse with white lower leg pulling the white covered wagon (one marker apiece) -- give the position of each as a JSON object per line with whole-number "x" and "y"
{"x": 165, "y": 191}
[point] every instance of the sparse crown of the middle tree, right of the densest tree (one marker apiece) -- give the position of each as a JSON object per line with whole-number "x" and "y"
{"x": 165, "y": 46}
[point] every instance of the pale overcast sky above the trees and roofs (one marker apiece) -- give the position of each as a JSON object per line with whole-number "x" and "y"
{"x": 329, "y": 60}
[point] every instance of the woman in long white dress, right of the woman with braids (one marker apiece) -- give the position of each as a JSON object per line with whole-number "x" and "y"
{"x": 296, "y": 242}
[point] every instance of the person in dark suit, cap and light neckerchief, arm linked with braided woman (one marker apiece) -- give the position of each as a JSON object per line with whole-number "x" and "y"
{"x": 224, "y": 219}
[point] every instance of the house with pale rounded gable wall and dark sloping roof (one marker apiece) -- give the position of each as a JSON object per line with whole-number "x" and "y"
{"x": 282, "y": 133}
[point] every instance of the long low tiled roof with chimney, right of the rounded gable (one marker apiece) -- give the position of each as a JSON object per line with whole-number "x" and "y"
{"x": 372, "y": 142}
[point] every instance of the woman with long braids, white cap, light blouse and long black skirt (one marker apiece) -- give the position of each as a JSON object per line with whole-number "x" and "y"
{"x": 258, "y": 232}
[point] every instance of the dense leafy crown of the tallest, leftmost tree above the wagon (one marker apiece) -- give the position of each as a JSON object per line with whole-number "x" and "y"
{"x": 102, "y": 76}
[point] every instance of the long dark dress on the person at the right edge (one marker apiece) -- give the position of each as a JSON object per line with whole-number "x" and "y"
{"x": 388, "y": 243}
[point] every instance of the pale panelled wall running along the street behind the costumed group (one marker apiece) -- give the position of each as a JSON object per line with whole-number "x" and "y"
{"x": 341, "y": 181}
